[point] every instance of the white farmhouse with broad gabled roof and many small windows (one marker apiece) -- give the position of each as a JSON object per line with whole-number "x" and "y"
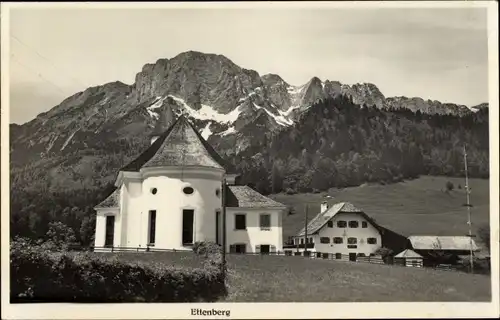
{"x": 343, "y": 229}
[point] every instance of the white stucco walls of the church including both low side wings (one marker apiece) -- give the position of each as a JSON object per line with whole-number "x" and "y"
{"x": 136, "y": 200}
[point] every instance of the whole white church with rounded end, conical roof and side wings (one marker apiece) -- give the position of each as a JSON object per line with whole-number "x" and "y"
{"x": 171, "y": 196}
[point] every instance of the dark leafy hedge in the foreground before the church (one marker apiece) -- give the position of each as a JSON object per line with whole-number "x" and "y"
{"x": 38, "y": 275}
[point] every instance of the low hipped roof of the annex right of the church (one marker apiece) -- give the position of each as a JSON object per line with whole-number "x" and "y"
{"x": 246, "y": 197}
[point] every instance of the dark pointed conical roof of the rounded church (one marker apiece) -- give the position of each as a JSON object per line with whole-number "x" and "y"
{"x": 180, "y": 145}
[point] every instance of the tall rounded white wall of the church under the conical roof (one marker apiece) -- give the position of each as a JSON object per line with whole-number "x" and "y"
{"x": 169, "y": 203}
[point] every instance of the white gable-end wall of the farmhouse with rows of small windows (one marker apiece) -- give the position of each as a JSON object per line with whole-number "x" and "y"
{"x": 362, "y": 234}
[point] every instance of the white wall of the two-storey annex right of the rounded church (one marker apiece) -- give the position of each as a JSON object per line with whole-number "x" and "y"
{"x": 253, "y": 235}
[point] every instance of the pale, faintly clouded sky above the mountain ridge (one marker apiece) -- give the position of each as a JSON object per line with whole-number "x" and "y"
{"x": 439, "y": 54}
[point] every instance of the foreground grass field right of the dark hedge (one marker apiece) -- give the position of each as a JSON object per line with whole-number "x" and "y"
{"x": 299, "y": 279}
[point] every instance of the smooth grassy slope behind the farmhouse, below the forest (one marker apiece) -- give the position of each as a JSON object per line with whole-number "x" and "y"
{"x": 416, "y": 207}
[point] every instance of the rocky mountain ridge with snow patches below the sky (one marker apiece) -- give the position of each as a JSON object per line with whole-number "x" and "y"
{"x": 225, "y": 102}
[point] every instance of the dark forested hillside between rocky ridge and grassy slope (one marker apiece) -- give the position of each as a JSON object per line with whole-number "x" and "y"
{"x": 338, "y": 144}
